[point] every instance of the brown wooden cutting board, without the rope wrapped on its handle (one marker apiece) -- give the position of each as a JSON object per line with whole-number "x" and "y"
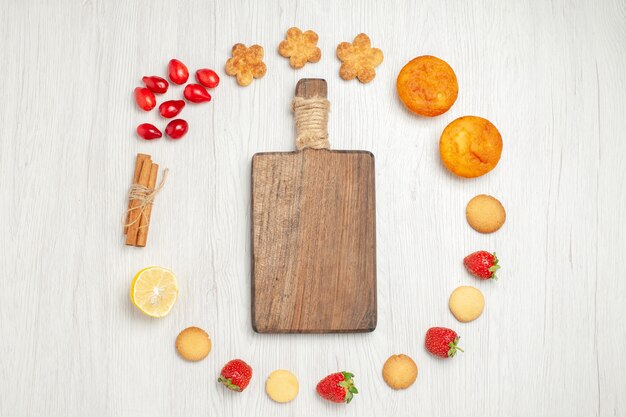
{"x": 313, "y": 238}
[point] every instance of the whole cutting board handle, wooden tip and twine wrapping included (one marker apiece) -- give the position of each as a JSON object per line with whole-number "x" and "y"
{"x": 310, "y": 107}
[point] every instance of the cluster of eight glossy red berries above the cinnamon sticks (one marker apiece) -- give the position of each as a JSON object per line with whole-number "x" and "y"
{"x": 194, "y": 93}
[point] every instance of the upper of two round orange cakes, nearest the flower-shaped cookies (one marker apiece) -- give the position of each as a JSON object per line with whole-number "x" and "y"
{"x": 427, "y": 85}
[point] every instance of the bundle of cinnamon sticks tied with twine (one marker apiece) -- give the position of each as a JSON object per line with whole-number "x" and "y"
{"x": 141, "y": 195}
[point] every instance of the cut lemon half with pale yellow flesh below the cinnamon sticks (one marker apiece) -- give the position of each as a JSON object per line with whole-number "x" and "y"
{"x": 154, "y": 291}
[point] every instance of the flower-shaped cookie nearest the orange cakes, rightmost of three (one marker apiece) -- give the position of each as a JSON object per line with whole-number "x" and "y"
{"x": 359, "y": 59}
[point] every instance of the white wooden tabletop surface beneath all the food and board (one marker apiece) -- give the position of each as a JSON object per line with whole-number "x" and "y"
{"x": 550, "y": 75}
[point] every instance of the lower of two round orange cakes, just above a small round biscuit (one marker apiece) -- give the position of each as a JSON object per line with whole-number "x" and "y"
{"x": 470, "y": 146}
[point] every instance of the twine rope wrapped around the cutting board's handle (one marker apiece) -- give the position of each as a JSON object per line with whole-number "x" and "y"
{"x": 311, "y": 115}
